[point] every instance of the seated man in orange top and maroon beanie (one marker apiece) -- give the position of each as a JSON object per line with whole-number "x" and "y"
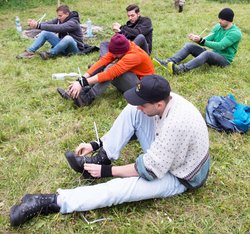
{"x": 125, "y": 63}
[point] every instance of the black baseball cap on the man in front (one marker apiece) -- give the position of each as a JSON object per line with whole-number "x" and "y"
{"x": 151, "y": 89}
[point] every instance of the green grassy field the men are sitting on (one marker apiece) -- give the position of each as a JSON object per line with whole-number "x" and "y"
{"x": 37, "y": 126}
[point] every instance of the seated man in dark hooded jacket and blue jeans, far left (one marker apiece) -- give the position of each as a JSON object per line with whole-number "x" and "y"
{"x": 68, "y": 41}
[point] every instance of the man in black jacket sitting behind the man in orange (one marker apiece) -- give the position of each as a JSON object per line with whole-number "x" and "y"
{"x": 138, "y": 29}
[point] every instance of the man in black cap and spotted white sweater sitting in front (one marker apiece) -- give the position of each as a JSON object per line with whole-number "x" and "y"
{"x": 175, "y": 158}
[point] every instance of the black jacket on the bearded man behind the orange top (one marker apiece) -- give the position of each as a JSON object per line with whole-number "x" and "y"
{"x": 142, "y": 26}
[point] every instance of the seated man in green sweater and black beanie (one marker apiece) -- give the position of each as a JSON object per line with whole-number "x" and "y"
{"x": 224, "y": 40}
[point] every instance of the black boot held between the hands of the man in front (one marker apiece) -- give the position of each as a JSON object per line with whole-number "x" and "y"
{"x": 77, "y": 162}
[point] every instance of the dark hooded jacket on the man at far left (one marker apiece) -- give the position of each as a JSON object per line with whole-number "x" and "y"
{"x": 71, "y": 26}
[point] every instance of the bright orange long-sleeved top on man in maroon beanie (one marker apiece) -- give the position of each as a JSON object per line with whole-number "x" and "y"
{"x": 136, "y": 60}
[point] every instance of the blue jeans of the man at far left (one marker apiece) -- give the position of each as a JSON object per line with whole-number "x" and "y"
{"x": 65, "y": 46}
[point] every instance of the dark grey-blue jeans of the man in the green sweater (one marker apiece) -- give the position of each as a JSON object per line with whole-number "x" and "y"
{"x": 201, "y": 56}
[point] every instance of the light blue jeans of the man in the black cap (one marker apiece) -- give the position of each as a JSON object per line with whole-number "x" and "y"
{"x": 120, "y": 190}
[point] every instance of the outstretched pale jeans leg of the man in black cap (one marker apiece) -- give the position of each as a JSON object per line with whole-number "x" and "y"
{"x": 117, "y": 191}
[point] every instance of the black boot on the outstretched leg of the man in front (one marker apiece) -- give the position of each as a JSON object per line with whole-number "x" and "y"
{"x": 32, "y": 205}
